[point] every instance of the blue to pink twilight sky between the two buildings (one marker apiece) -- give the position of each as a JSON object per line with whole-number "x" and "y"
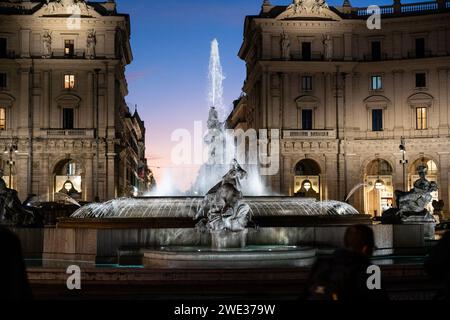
{"x": 168, "y": 77}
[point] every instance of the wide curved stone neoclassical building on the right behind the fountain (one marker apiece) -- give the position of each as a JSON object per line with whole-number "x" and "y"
{"x": 343, "y": 94}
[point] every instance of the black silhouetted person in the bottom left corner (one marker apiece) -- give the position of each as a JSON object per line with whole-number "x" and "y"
{"x": 13, "y": 278}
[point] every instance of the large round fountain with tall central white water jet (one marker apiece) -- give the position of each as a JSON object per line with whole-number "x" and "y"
{"x": 227, "y": 228}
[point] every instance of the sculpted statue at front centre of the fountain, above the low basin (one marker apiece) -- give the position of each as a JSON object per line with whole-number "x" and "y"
{"x": 222, "y": 208}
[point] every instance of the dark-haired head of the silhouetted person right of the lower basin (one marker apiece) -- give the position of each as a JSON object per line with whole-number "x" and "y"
{"x": 360, "y": 239}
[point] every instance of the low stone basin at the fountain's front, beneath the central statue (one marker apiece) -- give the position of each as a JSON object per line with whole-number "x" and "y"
{"x": 251, "y": 257}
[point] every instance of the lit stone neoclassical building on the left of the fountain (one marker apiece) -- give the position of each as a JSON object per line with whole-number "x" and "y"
{"x": 64, "y": 123}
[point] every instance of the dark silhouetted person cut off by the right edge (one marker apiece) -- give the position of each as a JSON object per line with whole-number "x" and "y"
{"x": 437, "y": 265}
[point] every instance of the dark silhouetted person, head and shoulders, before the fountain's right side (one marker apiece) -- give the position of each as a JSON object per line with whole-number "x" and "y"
{"x": 343, "y": 276}
